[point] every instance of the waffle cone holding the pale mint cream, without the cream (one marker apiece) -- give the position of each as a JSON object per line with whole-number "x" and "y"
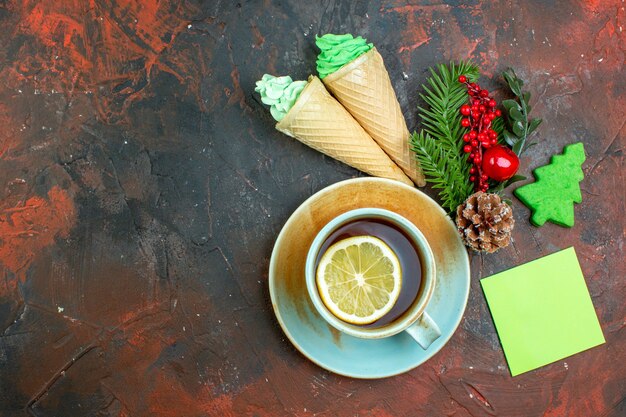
{"x": 321, "y": 122}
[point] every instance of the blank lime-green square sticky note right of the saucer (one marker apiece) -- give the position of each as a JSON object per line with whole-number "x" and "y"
{"x": 542, "y": 311}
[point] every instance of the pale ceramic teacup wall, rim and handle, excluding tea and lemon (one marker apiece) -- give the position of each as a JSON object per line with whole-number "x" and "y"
{"x": 415, "y": 320}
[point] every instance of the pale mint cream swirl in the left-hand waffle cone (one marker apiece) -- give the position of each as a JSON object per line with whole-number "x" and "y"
{"x": 280, "y": 93}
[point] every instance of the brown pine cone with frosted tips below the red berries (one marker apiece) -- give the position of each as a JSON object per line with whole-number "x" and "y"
{"x": 485, "y": 222}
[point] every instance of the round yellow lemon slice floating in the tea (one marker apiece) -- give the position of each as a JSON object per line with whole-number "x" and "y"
{"x": 359, "y": 279}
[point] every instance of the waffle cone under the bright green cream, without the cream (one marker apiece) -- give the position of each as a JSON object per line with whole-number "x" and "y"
{"x": 364, "y": 88}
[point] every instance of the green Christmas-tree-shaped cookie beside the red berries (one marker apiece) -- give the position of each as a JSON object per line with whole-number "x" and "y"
{"x": 552, "y": 197}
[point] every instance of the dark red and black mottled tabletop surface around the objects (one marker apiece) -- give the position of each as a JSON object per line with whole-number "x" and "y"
{"x": 142, "y": 185}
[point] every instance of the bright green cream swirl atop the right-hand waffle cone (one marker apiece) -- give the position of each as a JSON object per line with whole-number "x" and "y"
{"x": 338, "y": 50}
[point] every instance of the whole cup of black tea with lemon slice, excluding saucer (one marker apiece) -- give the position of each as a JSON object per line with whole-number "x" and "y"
{"x": 368, "y": 256}
